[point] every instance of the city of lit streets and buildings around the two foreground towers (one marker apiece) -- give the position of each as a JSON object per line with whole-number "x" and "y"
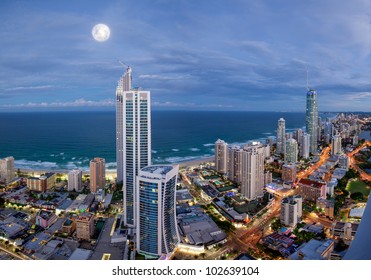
{"x": 300, "y": 204}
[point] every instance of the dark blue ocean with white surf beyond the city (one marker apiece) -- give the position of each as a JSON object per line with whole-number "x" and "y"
{"x": 66, "y": 140}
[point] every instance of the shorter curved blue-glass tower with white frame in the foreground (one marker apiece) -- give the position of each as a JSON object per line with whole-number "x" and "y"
{"x": 156, "y": 226}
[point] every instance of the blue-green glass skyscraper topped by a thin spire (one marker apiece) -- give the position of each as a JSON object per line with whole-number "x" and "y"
{"x": 311, "y": 119}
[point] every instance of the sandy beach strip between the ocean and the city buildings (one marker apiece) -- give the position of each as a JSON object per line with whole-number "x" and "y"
{"x": 113, "y": 173}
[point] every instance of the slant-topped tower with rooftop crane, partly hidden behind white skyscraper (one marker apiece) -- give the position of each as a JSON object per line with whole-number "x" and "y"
{"x": 124, "y": 84}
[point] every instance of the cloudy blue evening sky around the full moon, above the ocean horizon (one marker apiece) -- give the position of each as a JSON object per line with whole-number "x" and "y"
{"x": 191, "y": 54}
